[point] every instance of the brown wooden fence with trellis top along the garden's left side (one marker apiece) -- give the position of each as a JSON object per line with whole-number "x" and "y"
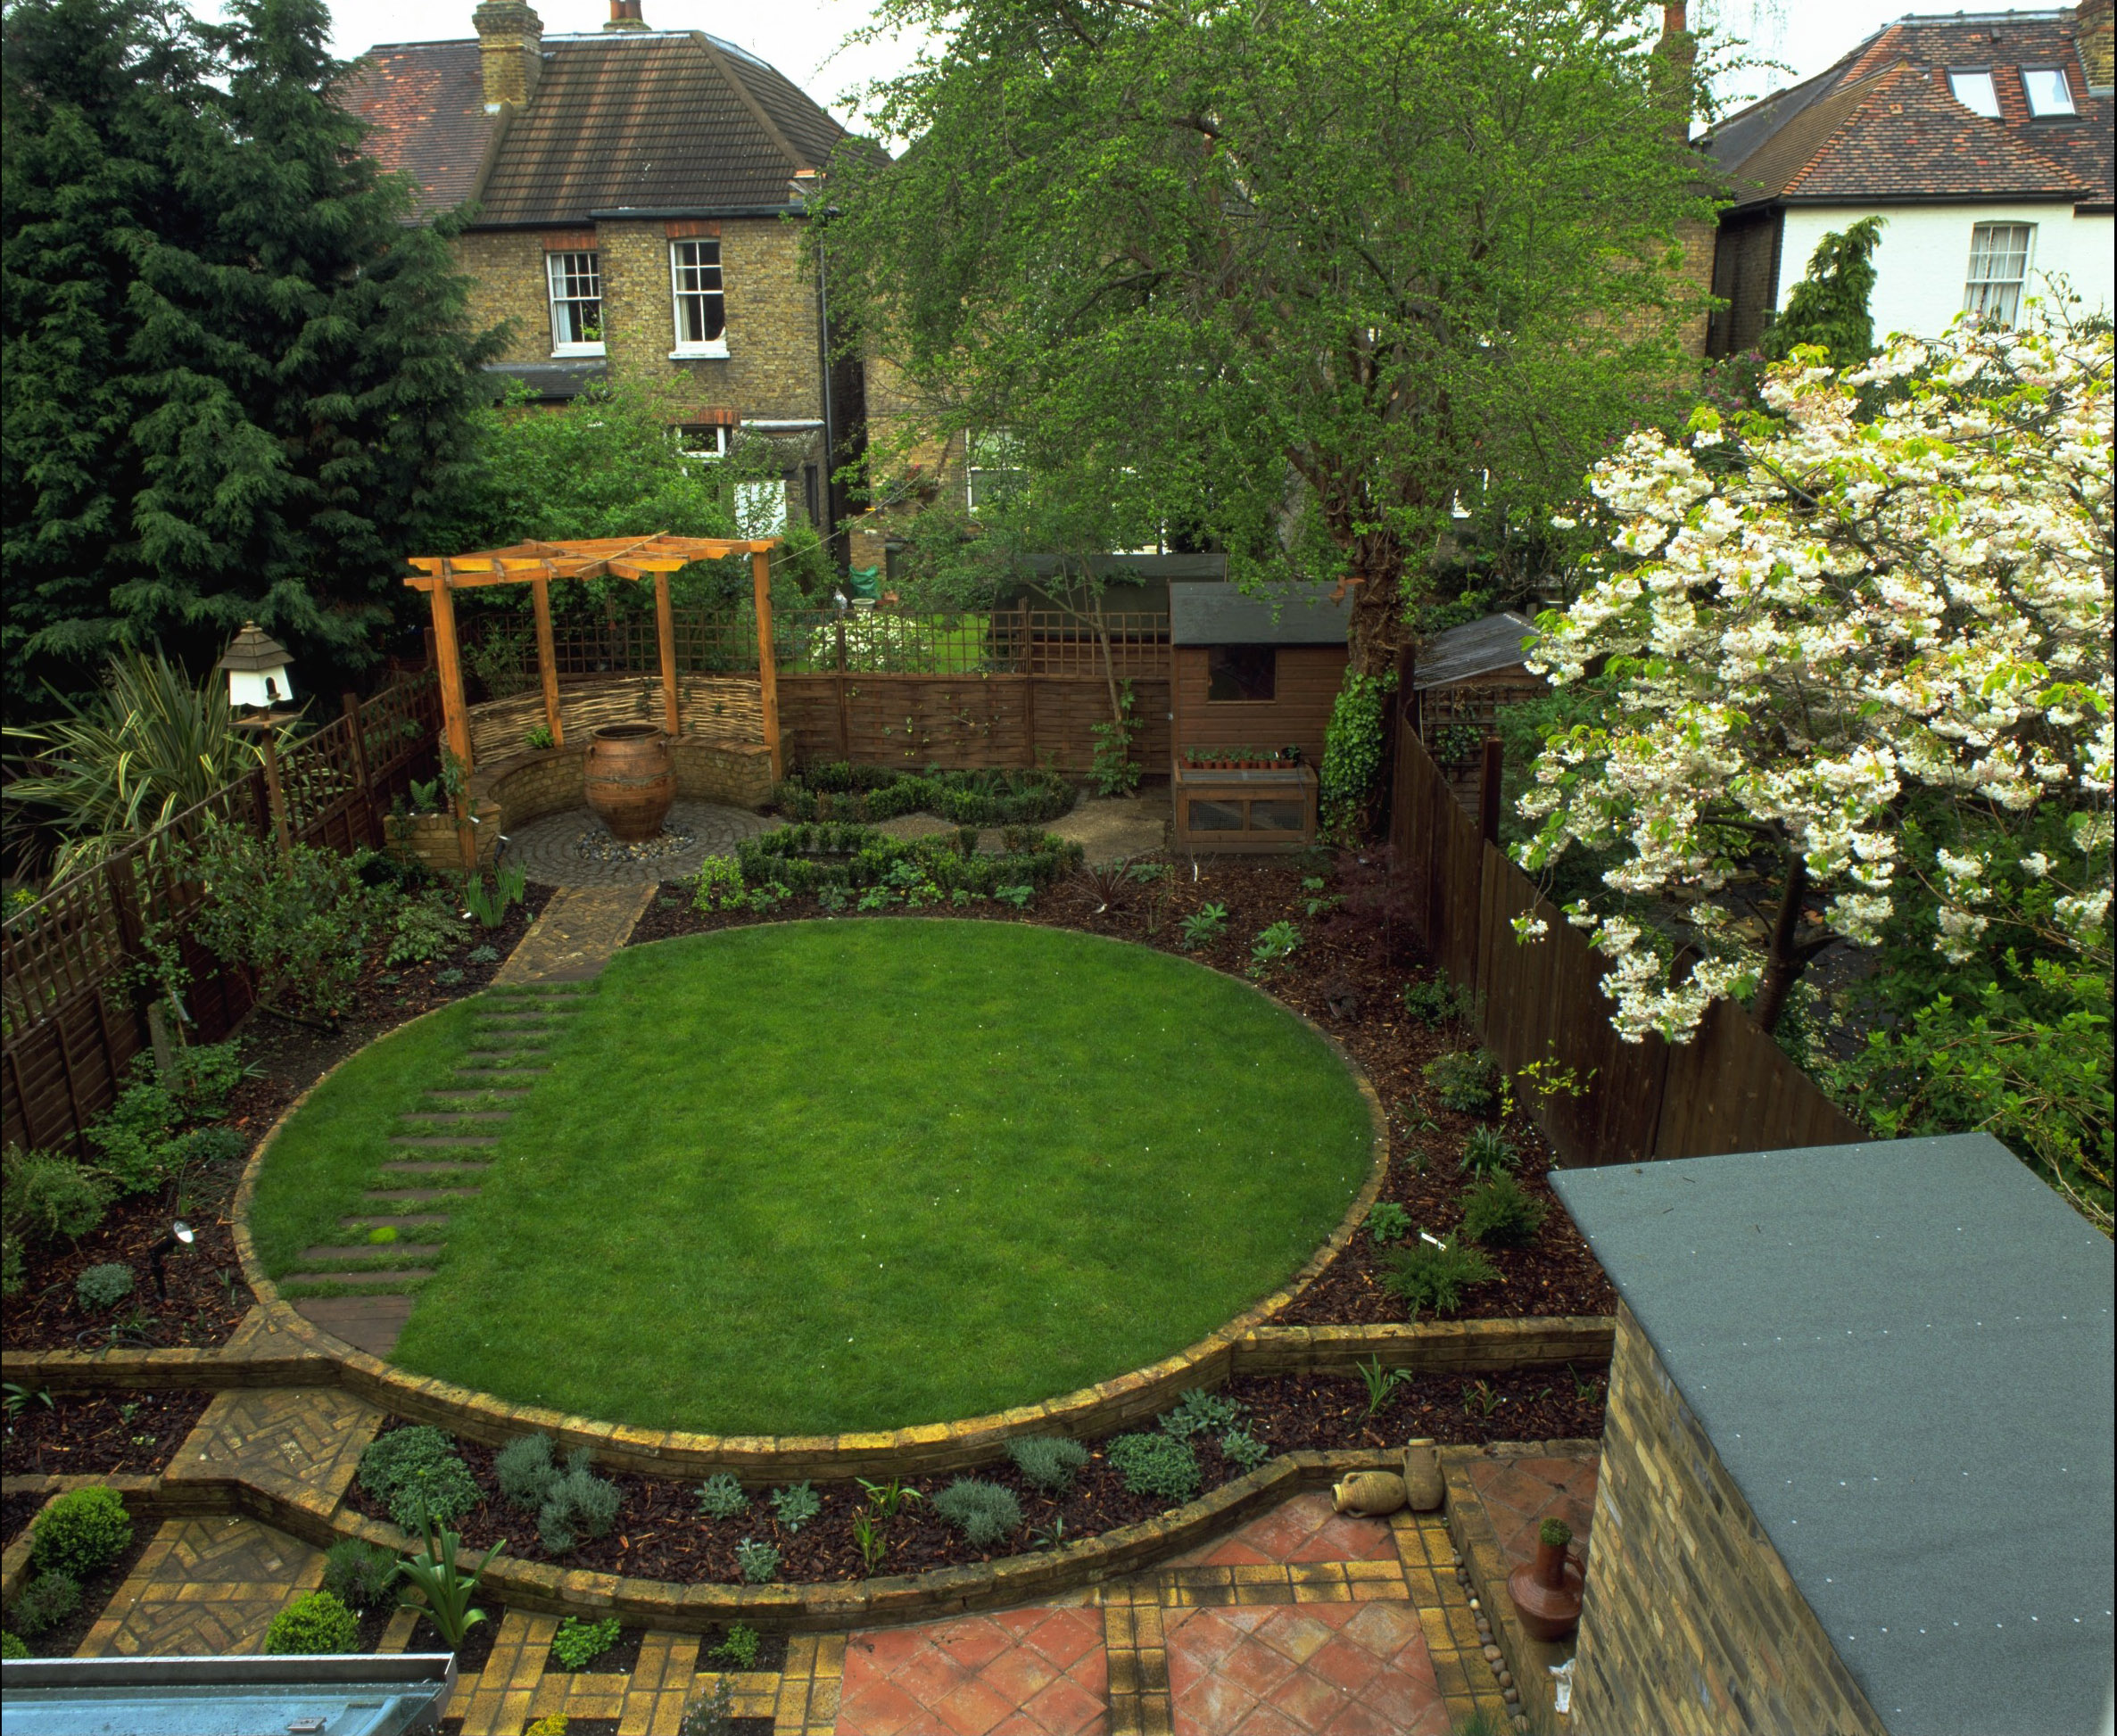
{"x": 73, "y": 1013}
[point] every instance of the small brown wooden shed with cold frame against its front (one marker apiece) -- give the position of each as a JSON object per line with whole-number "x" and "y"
{"x": 1254, "y": 676}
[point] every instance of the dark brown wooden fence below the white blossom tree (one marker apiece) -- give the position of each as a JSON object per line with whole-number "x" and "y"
{"x": 1731, "y": 1089}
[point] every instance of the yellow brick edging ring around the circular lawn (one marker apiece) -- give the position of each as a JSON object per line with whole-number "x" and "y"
{"x": 916, "y": 1451}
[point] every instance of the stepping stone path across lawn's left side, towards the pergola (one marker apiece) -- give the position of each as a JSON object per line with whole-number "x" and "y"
{"x": 444, "y": 1146}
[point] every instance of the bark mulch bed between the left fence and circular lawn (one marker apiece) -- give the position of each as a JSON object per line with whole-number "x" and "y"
{"x": 209, "y": 1297}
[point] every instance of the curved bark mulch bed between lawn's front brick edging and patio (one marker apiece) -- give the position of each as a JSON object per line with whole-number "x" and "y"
{"x": 664, "y": 1536}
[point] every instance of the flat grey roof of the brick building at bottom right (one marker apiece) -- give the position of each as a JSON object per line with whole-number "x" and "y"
{"x": 1902, "y": 1354}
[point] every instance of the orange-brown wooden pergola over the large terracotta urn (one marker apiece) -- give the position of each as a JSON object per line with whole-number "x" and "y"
{"x": 539, "y": 564}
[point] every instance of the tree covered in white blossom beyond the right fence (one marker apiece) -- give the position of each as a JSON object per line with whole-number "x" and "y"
{"x": 1860, "y": 653}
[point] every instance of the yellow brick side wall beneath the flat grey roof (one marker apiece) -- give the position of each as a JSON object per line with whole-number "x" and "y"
{"x": 1693, "y": 1625}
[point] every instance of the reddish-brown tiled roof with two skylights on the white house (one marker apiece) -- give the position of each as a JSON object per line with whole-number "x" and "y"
{"x": 1883, "y": 126}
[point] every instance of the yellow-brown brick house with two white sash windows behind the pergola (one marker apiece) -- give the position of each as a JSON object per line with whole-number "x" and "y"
{"x": 636, "y": 213}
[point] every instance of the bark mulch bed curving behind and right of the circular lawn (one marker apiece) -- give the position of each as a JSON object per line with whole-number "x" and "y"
{"x": 1350, "y": 975}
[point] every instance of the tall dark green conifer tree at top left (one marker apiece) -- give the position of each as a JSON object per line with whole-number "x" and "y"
{"x": 240, "y": 380}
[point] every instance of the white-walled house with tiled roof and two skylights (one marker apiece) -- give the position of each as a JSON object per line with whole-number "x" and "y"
{"x": 1980, "y": 139}
